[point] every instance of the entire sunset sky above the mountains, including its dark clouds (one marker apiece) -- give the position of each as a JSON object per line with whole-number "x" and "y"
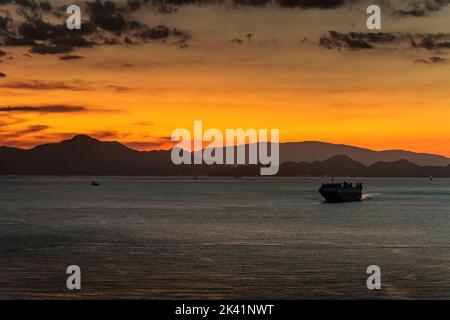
{"x": 137, "y": 71}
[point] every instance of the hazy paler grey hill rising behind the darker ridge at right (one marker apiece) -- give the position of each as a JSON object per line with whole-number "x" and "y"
{"x": 309, "y": 151}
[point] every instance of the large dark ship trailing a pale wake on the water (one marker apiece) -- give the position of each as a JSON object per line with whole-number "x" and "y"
{"x": 341, "y": 192}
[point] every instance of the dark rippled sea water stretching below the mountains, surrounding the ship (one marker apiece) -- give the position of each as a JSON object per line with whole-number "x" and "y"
{"x": 253, "y": 239}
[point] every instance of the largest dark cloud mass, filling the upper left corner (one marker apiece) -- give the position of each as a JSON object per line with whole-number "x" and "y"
{"x": 109, "y": 23}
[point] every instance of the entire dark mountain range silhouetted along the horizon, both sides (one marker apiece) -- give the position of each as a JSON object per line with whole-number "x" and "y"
{"x": 83, "y": 155}
